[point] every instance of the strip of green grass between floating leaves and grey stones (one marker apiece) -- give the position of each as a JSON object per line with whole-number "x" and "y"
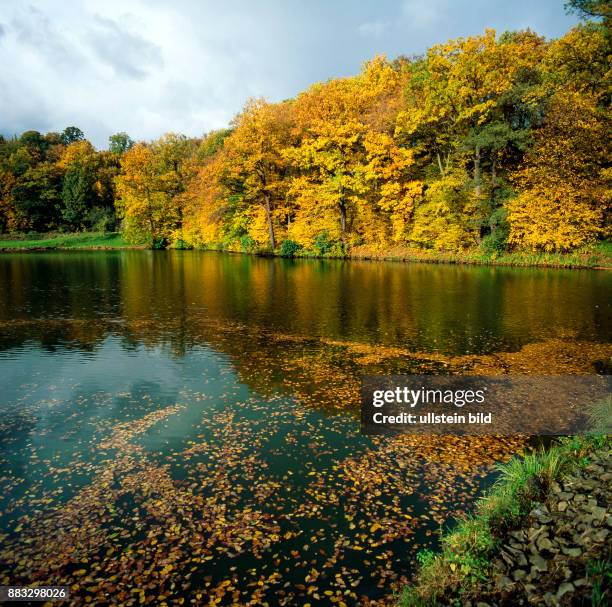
{"x": 462, "y": 572}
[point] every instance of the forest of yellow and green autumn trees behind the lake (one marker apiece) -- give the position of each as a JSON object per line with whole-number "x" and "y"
{"x": 496, "y": 141}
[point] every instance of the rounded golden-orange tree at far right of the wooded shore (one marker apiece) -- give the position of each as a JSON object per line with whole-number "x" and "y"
{"x": 563, "y": 188}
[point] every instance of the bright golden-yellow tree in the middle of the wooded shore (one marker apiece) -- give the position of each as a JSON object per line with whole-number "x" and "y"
{"x": 348, "y": 165}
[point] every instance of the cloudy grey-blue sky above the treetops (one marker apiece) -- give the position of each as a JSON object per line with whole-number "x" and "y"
{"x": 149, "y": 67}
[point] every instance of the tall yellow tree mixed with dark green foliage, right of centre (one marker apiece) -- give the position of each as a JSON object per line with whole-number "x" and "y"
{"x": 470, "y": 105}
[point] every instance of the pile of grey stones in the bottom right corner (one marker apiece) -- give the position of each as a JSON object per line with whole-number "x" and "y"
{"x": 544, "y": 563}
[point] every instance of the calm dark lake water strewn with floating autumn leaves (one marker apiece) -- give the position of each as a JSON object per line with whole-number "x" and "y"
{"x": 184, "y": 424}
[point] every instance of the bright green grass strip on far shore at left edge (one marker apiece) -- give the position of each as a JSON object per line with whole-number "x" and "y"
{"x": 80, "y": 240}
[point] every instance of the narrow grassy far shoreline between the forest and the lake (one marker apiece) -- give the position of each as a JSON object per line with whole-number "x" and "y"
{"x": 593, "y": 259}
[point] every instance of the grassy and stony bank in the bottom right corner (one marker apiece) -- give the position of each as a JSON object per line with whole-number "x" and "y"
{"x": 478, "y": 556}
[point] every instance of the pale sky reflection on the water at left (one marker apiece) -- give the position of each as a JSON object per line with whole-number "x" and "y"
{"x": 60, "y": 398}
